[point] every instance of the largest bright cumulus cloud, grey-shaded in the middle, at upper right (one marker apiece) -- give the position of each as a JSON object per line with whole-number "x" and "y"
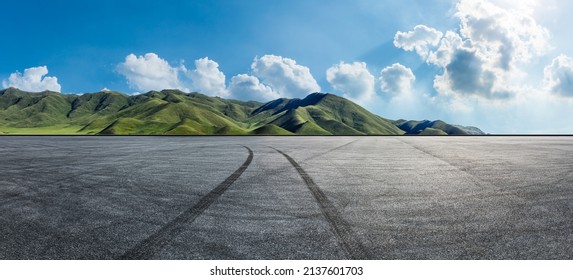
{"x": 483, "y": 58}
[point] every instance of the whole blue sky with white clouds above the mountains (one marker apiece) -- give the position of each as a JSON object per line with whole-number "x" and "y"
{"x": 504, "y": 67}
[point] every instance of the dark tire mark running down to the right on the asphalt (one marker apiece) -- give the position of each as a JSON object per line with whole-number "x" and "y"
{"x": 341, "y": 228}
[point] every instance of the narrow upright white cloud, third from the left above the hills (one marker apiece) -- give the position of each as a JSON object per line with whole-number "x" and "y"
{"x": 208, "y": 79}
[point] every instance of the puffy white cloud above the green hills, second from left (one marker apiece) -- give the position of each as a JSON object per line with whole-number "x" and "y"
{"x": 150, "y": 72}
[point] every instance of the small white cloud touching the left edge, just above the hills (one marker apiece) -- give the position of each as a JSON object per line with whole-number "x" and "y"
{"x": 34, "y": 79}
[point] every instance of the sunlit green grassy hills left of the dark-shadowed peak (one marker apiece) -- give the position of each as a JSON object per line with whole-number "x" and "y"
{"x": 165, "y": 112}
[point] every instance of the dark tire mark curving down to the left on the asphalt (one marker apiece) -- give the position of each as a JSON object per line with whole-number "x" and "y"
{"x": 148, "y": 247}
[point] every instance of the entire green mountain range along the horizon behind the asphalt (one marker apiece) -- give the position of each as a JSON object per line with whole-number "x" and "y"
{"x": 173, "y": 112}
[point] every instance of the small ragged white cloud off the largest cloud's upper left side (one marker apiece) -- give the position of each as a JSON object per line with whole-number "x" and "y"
{"x": 420, "y": 39}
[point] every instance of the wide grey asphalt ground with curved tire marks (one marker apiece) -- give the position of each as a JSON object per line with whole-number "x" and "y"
{"x": 286, "y": 198}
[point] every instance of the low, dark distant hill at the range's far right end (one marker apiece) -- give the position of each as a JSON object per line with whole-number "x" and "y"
{"x": 438, "y": 127}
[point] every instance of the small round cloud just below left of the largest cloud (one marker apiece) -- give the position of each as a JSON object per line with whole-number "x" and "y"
{"x": 396, "y": 79}
